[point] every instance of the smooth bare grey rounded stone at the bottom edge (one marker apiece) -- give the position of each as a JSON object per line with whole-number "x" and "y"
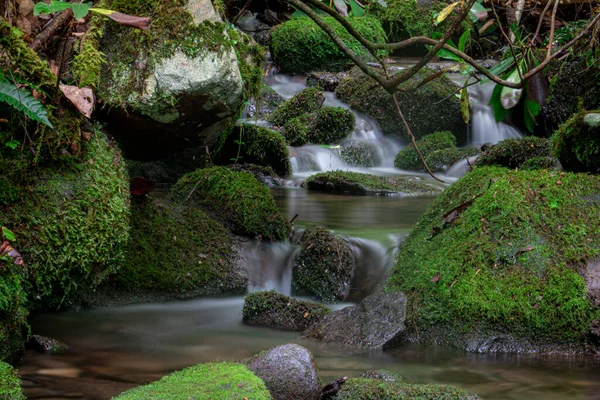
{"x": 288, "y": 371}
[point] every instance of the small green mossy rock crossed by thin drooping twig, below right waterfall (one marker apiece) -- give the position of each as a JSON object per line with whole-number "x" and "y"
{"x": 409, "y": 159}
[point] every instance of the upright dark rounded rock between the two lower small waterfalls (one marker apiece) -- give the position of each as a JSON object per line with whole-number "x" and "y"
{"x": 323, "y": 268}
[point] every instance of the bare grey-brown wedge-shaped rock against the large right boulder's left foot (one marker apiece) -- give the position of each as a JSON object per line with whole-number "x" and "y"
{"x": 376, "y": 322}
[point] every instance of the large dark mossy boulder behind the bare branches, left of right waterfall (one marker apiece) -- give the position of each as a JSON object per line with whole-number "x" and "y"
{"x": 433, "y": 107}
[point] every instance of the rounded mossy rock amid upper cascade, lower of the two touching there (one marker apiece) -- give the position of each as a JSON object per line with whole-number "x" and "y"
{"x": 324, "y": 126}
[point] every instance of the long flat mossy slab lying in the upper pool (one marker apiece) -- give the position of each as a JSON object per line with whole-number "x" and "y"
{"x": 347, "y": 182}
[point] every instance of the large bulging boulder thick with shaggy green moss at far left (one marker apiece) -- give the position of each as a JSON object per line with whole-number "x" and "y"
{"x": 72, "y": 221}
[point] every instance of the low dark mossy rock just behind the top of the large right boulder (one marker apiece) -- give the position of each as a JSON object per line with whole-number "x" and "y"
{"x": 512, "y": 153}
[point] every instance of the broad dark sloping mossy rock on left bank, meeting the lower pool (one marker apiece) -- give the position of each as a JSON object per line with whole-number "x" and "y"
{"x": 186, "y": 251}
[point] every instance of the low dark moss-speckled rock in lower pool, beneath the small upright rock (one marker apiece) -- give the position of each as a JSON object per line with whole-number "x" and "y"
{"x": 279, "y": 311}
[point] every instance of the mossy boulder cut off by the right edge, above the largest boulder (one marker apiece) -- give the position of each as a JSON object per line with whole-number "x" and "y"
{"x": 577, "y": 143}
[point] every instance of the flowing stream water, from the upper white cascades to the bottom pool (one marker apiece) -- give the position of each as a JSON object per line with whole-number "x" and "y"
{"x": 114, "y": 349}
